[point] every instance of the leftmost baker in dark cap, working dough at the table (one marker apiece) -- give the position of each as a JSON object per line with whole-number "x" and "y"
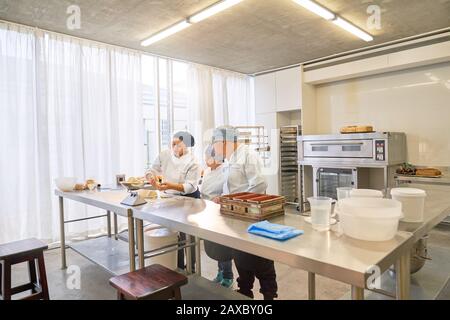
{"x": 178, "y": 172}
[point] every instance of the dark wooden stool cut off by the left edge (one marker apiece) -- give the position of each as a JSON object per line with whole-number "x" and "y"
{"x": 29, "y": 251}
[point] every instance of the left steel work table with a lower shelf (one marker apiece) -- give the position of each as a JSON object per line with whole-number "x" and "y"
{"x": 110, "y": 253}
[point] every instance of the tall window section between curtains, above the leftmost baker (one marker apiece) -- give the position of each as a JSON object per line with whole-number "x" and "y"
{"x": 165, "y": 102}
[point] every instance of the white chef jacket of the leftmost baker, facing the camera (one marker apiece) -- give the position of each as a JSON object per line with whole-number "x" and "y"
{"x": 184, "y": 170}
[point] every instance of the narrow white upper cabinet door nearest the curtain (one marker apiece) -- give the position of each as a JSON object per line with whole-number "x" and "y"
{"x": 265, "y": 93}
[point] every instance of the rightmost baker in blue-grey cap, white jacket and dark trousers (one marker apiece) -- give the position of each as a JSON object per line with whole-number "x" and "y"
{"x": 243, "y": 173}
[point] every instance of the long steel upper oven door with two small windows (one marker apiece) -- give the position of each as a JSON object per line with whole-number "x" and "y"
{"x": 338, "y": 149}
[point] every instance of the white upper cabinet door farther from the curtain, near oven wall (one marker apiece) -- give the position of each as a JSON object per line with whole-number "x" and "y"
{"x": 288, "y": 89}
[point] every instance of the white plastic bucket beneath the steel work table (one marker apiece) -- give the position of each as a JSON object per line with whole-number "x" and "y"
{"x": 155, "y": 237}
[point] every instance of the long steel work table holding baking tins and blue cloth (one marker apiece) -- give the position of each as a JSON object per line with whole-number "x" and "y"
{"x": 325, "y": 253}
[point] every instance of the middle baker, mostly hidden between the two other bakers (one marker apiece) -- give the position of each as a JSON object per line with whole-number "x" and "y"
{"x": 211, "y": 187}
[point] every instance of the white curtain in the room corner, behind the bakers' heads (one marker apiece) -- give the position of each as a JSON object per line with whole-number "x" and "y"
{"x": 217, "y": 97}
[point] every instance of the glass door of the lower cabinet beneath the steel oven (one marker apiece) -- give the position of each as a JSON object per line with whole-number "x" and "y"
{"x": 330, "y": 179}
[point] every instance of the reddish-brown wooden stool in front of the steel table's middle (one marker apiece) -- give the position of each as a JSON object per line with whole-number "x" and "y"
{"x": 154, "y": 282}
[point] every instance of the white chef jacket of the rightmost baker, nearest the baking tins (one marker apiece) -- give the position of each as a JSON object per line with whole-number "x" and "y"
{"x": 243, "y": 172}
